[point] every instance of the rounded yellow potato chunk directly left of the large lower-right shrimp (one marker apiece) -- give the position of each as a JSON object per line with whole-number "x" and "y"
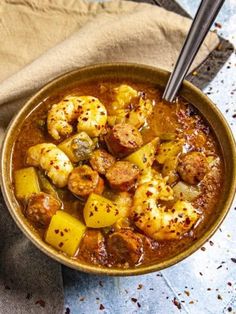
{"x": 100, "y": 212}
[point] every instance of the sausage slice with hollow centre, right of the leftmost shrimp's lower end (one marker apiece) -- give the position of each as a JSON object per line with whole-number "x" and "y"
{"x": 83, "y": 180}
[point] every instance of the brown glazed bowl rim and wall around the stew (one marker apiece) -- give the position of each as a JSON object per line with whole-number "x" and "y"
{"x": 139, "y": 73}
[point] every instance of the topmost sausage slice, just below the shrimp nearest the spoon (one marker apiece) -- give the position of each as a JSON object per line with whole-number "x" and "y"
{"x": 123, "y": 139}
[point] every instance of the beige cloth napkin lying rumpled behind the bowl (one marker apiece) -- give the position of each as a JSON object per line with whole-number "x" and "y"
{"x": 127, "y": 31}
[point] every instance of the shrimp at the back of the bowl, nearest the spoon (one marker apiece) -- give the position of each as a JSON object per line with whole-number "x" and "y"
{"x": 125, "y": 110}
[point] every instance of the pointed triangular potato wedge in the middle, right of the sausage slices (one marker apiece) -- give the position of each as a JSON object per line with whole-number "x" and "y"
{"x": 144, "y": 156}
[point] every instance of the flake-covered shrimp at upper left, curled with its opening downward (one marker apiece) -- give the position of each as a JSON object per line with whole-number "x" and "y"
{"x": 89, "y": 111}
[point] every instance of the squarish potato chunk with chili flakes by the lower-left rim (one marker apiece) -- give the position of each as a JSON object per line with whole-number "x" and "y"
{"x": 65, "y": 232}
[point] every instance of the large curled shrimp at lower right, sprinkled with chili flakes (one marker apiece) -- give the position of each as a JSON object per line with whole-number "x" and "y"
{"x": 154, "y": 220}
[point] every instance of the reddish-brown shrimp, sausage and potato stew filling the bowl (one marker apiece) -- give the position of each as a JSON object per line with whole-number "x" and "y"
{"x": 109, "y": 174}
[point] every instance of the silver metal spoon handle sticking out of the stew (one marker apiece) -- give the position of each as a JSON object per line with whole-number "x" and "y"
{"x": 201, "y": 24}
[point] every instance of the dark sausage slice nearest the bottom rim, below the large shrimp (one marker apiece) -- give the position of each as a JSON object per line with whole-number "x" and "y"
{"x": 125, "y": 246}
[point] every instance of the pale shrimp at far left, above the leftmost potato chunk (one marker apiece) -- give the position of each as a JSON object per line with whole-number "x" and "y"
{"x": 51, "y": 159}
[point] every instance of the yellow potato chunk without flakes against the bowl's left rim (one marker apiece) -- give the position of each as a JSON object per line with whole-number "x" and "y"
{"x": 26, "y": 183}
